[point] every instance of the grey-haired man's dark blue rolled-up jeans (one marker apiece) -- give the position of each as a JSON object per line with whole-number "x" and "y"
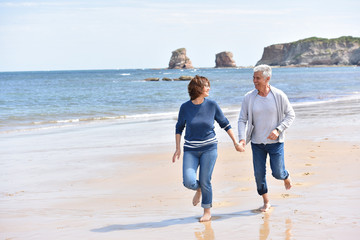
{"x": 276, "y": 153}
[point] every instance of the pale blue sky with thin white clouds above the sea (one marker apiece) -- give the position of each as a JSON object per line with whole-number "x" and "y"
{"x": 129, "y": 34}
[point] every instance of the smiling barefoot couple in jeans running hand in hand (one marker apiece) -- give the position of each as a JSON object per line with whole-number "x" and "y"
{"x": 265, "y": 114}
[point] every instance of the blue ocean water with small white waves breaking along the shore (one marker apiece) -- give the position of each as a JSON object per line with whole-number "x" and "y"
{"x": 35, "y": 101}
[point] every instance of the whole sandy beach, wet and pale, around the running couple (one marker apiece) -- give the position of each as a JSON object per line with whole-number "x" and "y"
{"x": 69, "y": 184}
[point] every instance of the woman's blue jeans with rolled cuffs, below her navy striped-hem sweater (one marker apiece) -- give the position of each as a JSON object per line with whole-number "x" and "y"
{"x": 206, "y": 161}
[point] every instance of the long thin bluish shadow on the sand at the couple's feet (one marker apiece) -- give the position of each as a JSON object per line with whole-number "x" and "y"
{"x": 174, "y": 221}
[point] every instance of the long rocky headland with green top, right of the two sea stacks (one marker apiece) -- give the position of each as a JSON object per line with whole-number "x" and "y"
{"x": 313, "y": 51}
